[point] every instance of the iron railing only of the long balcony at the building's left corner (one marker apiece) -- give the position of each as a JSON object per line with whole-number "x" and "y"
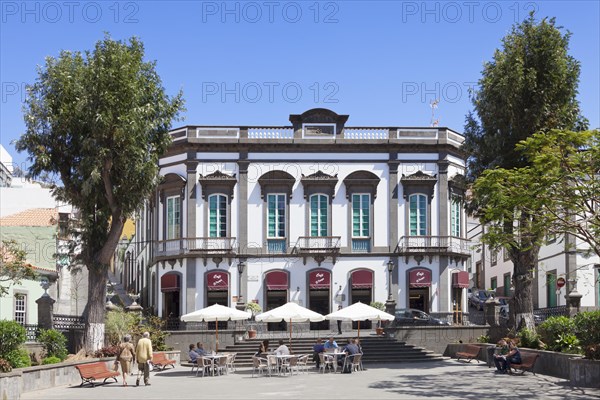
{"x": 205, "y": 245}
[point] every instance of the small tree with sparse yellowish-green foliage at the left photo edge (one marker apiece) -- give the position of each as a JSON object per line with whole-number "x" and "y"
{"x": 12, "y": 266}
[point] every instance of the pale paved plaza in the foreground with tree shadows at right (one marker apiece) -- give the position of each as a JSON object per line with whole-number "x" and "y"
{"x": 448, "y": 379}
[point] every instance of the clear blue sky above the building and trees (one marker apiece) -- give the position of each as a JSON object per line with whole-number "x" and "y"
{"x": 254, "y": 63}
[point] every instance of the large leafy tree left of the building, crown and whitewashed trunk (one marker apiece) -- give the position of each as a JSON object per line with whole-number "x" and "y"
{"x": 100, "y": 120}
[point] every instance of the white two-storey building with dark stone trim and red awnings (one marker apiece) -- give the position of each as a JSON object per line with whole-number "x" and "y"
{"x": 316, "y": 212}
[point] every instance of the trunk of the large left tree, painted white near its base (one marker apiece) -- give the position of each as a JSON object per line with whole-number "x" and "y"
{"x": 94, "y": 312}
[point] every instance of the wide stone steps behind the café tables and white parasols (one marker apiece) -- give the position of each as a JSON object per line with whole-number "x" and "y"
{"x": 376, "y": 350}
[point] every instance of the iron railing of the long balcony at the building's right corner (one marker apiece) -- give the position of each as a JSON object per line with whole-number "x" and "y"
{"x": 433, "y": 244}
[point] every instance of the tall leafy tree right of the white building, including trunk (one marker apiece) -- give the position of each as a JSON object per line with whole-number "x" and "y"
{"x": 530, "y": 86}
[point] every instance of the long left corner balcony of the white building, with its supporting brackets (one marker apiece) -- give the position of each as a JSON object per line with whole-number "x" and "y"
{"x": 205, "y": 247}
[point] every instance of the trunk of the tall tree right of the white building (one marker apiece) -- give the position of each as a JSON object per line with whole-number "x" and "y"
{"x": 525, "y": 262}
